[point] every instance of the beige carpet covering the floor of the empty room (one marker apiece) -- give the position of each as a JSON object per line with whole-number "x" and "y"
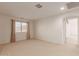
{"x": 38, "y": 48}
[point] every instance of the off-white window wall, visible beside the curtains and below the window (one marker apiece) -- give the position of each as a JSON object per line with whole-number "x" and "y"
{"x": 5, "y": 30}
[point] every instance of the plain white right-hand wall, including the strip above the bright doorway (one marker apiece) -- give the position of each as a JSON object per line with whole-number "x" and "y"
{"x": 51, "y": 28}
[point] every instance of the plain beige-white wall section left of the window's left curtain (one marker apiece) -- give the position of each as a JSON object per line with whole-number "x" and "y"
{"x": 5, "y": 29}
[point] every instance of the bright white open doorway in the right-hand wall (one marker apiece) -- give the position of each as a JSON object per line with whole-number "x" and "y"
{"x": 71, "y": 31}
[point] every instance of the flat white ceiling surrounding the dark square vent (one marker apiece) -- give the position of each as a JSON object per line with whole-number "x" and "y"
{"x": 29, "y": 11}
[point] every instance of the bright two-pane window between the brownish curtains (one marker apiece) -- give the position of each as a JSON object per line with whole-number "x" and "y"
{"x": 21, "y": 27}
